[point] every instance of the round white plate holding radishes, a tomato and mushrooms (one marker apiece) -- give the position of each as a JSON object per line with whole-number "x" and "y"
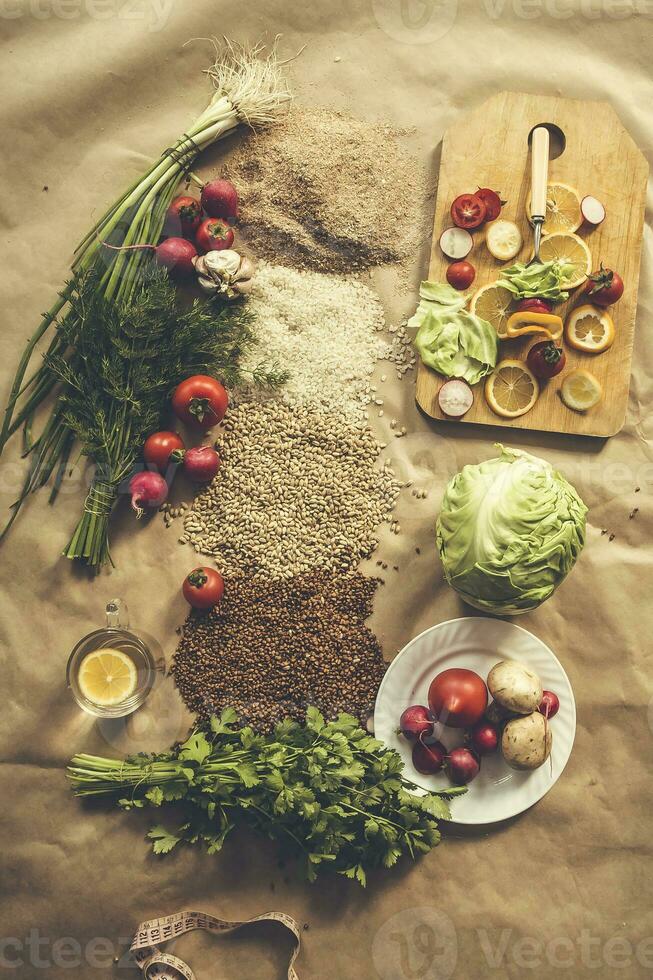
{"x": 498, "y": 792}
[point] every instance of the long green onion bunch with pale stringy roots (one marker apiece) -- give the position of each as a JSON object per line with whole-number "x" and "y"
{"x": 250, "y": 90}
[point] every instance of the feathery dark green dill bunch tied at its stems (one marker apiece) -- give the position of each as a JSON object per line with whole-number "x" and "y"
{"x": 125, "y": 357}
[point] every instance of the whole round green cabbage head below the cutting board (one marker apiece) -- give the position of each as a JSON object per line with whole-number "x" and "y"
{"x": 509, "y": 531}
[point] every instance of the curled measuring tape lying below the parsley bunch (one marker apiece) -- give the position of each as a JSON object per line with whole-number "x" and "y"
{"x": 163, "y": 966}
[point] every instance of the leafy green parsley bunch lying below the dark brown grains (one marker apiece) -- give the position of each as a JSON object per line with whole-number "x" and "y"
{"x": 330, "y": 789}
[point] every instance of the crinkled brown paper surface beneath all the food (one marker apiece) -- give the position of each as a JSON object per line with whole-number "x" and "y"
{"x": 88, "y": 96}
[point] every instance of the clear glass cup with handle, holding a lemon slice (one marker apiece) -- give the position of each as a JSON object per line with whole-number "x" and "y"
{"x": 113, "y": 636}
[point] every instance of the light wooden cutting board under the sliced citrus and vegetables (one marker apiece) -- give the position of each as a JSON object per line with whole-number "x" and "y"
{"x": 488, "y": 147}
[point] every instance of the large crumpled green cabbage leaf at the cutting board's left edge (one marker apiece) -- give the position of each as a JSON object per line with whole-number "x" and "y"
{"x": 450, "y": 339}
